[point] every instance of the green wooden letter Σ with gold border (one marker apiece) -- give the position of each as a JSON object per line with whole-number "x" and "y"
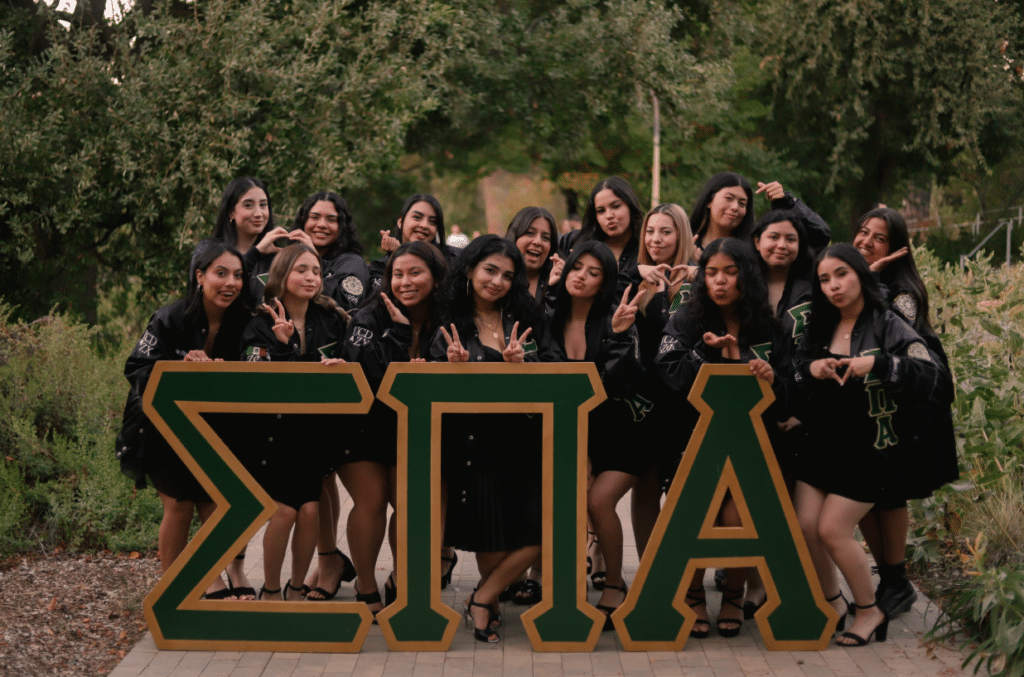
{"x": 178, "y": 395}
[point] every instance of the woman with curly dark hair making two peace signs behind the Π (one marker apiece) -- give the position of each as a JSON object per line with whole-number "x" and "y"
{"x": 491, "y": 462}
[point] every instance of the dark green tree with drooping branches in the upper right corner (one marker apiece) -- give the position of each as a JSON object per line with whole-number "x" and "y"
{"x": 871, "y": 94}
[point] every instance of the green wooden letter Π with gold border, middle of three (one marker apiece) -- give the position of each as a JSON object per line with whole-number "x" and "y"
{"x": 564, "y": 395}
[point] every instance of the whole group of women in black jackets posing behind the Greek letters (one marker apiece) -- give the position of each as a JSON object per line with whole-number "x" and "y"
{"x": 840, "y": 332}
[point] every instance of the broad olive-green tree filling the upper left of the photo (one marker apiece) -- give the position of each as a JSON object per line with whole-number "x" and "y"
{"x": 118, "y": 138}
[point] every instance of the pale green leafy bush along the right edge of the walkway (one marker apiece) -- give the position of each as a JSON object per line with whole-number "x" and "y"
{"x": 980, "y": 316}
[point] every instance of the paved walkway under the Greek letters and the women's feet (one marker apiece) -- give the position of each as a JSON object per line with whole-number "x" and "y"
{"x": 903, "y": 655}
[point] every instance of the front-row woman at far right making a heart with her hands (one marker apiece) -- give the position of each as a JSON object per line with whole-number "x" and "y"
{"x": 865, "y": 364}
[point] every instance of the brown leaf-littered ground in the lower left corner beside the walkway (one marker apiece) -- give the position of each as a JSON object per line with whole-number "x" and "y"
{"x": 72, "y": 614}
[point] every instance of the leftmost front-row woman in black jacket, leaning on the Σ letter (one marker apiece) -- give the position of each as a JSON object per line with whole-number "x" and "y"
{"x": 206, "y": 325}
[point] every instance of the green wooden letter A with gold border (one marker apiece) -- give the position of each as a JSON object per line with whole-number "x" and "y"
{"x": 730, "y": 450}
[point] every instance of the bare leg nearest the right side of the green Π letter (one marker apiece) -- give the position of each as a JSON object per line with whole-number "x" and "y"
{"x": 605, "y": 495}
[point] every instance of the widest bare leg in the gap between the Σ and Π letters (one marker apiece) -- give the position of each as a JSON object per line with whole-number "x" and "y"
{"x": 367, "y": 483}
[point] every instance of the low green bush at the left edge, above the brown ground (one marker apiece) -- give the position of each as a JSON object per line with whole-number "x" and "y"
{"x": 60, "y": 414}
